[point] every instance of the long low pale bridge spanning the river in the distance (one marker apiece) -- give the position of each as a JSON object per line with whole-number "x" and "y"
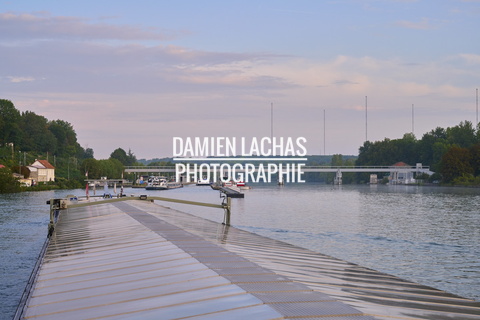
{"x": 397, "y": 172}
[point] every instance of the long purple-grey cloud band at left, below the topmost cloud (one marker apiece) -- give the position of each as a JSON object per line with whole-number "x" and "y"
{"x": 80, "y": 66}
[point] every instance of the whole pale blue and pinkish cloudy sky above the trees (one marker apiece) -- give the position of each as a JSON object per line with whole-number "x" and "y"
{"x": 135, "y": 74}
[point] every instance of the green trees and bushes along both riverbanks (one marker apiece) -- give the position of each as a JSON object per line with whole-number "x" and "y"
{"x": 452, "y": 153}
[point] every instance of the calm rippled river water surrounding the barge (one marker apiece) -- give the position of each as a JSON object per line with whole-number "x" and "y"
{"x": 430, "y": 235}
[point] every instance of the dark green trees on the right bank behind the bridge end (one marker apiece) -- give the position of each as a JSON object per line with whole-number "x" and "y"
{"x": 452, "y": 153}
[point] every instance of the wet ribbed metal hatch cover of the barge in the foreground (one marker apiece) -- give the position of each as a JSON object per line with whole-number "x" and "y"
{"x": 138, "y": 260}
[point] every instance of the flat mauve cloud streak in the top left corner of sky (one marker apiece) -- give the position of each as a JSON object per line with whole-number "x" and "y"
{"x": 41, "y": 26}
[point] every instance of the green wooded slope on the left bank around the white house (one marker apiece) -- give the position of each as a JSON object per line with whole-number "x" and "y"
{"x": 26, "y": 136}
